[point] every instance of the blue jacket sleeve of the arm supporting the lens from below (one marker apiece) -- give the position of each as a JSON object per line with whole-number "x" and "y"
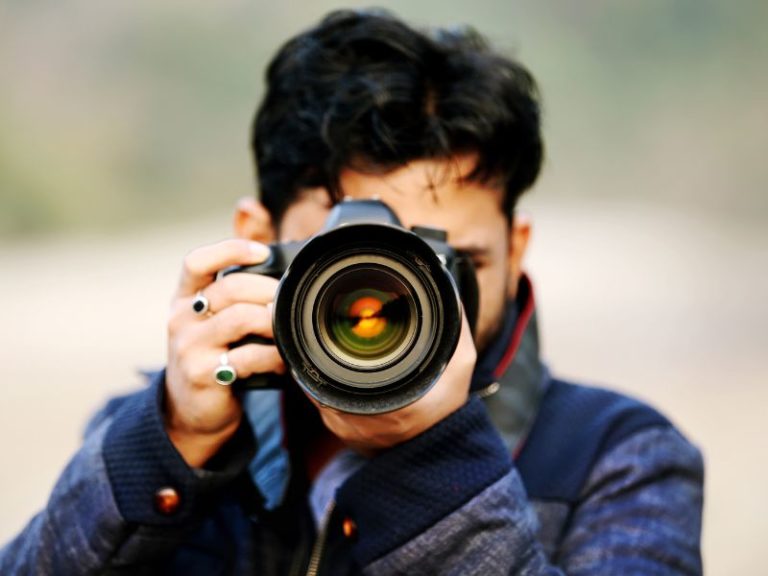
{"x": 452, "y": 502}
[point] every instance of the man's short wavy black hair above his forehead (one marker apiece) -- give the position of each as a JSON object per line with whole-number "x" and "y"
{"x": 362, "y": 89}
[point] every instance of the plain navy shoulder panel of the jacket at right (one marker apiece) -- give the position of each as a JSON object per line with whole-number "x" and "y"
{"x": 578, "y": 428}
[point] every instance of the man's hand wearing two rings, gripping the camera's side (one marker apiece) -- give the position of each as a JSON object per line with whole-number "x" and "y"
{"x": 201, "y": 415}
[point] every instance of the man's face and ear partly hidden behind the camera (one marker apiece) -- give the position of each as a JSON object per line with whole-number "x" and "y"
{"x": 434, "y": 193}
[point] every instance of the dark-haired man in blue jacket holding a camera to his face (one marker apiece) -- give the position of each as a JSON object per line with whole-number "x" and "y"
{"x": 498, "y": 469}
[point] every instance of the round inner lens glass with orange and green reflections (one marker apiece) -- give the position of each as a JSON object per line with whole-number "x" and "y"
{"x": 367, "y": 317}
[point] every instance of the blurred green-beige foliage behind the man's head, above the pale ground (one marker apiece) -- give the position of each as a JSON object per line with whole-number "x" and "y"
{"x": 116, "y": 115}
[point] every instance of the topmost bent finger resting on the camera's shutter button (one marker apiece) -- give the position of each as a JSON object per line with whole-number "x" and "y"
{"x": 201, "y": 265}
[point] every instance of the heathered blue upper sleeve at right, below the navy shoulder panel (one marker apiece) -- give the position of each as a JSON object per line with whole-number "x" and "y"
{"x": 640, "y": 511}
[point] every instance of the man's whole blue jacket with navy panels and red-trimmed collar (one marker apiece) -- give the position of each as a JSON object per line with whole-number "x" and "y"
{"x": 532, "y": 476}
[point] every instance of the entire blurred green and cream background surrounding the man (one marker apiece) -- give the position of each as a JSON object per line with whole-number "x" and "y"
{"x": 124, "y": 144}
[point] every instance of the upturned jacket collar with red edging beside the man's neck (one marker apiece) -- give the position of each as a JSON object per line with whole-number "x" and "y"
{"x": 510, "y": 375}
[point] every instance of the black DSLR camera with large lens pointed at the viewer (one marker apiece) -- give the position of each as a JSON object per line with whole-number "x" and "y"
{"x": 367, "y": 314}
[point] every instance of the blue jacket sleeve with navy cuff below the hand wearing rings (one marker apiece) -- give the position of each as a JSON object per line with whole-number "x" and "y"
{"x": 101, "y": 513}
